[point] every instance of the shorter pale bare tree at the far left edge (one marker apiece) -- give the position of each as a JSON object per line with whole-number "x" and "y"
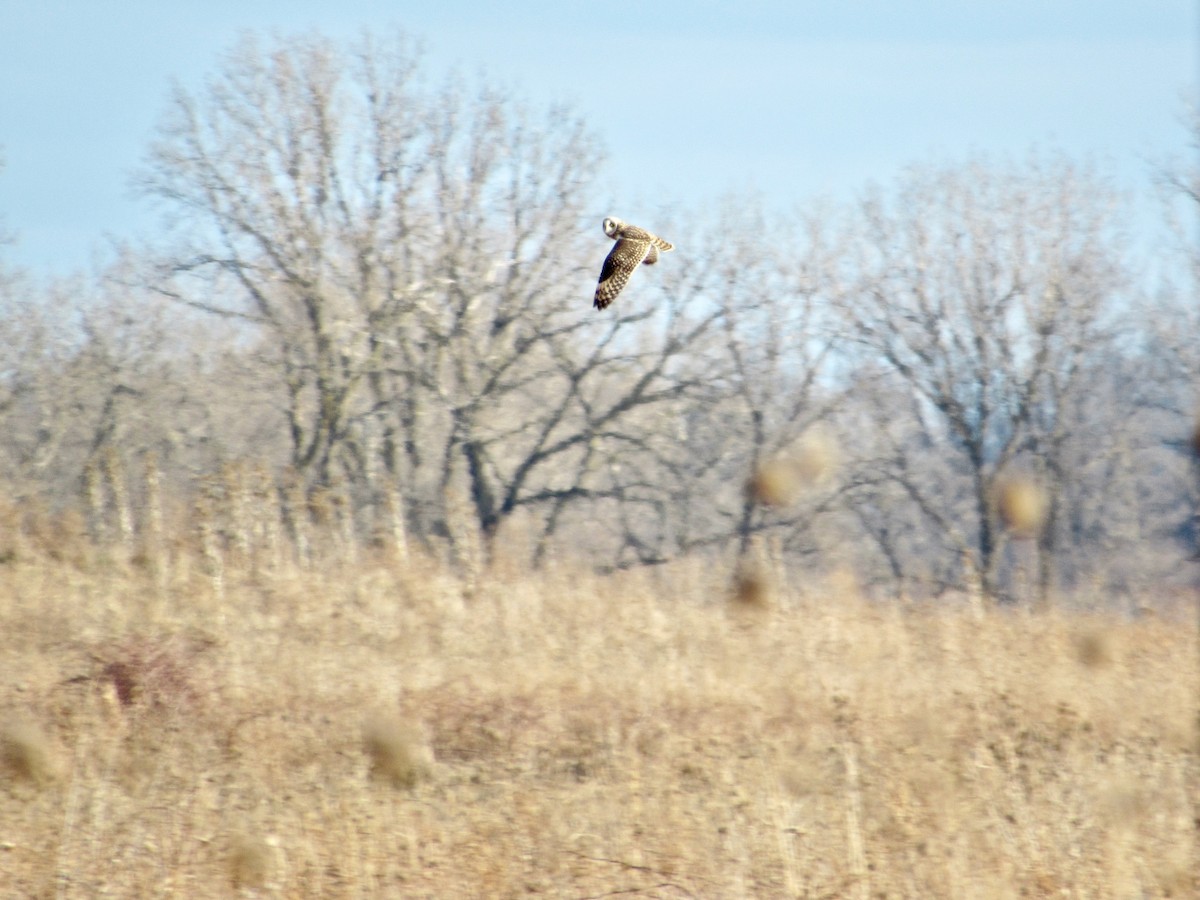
{"x": 100, "y": 383}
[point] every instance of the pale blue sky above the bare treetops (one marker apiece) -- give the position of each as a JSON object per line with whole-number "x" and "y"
{"x": 692, "y": 99}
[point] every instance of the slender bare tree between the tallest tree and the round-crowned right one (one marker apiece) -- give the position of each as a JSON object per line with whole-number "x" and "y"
{"x": 766, "y": 385}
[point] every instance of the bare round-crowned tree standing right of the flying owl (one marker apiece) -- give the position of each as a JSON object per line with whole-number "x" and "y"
{"x": 986, "y": 293}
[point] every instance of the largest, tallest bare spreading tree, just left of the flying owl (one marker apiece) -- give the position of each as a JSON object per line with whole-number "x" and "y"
{"x": 411, "y": 265}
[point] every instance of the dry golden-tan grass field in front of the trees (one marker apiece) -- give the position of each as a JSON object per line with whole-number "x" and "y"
{"x": 376, "y": 729}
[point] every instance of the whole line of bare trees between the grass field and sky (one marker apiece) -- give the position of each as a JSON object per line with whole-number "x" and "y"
{"x": 376, "y": 287}
